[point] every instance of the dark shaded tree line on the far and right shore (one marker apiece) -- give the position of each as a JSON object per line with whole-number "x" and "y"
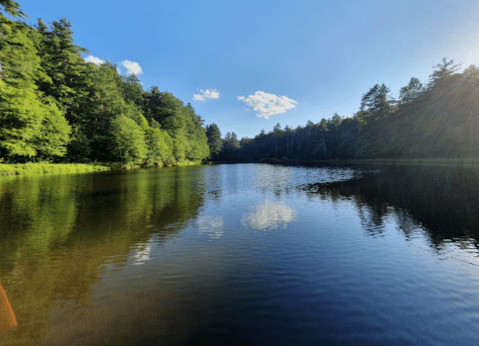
{"x": 437, "y": 119}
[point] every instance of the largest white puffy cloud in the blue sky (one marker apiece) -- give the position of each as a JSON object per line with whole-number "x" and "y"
{"x": 268, "y": 104}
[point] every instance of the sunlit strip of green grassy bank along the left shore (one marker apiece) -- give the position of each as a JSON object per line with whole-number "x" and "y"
{"x": 48, "y": 168}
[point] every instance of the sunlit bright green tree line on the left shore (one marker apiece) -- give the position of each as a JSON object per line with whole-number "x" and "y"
{"x": 56, "y": 107}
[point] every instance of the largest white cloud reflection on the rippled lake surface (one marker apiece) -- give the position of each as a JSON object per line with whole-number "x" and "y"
{"x": 269, "y": 215}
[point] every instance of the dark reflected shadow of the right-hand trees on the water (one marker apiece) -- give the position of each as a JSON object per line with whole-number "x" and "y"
{"x": 443, "y": 200}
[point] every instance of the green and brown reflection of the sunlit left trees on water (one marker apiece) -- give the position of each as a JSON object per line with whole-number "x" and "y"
{"x": 58, "y": 232}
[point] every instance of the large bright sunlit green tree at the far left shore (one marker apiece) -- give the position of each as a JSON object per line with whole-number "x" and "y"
{"x": 30, "y": 122}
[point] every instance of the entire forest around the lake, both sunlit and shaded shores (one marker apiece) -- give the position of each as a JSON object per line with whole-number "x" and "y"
{"x": 55, "y": 107}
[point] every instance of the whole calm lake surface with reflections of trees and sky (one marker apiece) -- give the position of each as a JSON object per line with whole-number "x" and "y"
{"x": 244, "y": 254}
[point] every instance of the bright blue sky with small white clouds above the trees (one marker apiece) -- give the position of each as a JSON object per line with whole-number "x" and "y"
{"x": 293, "y": 61}
